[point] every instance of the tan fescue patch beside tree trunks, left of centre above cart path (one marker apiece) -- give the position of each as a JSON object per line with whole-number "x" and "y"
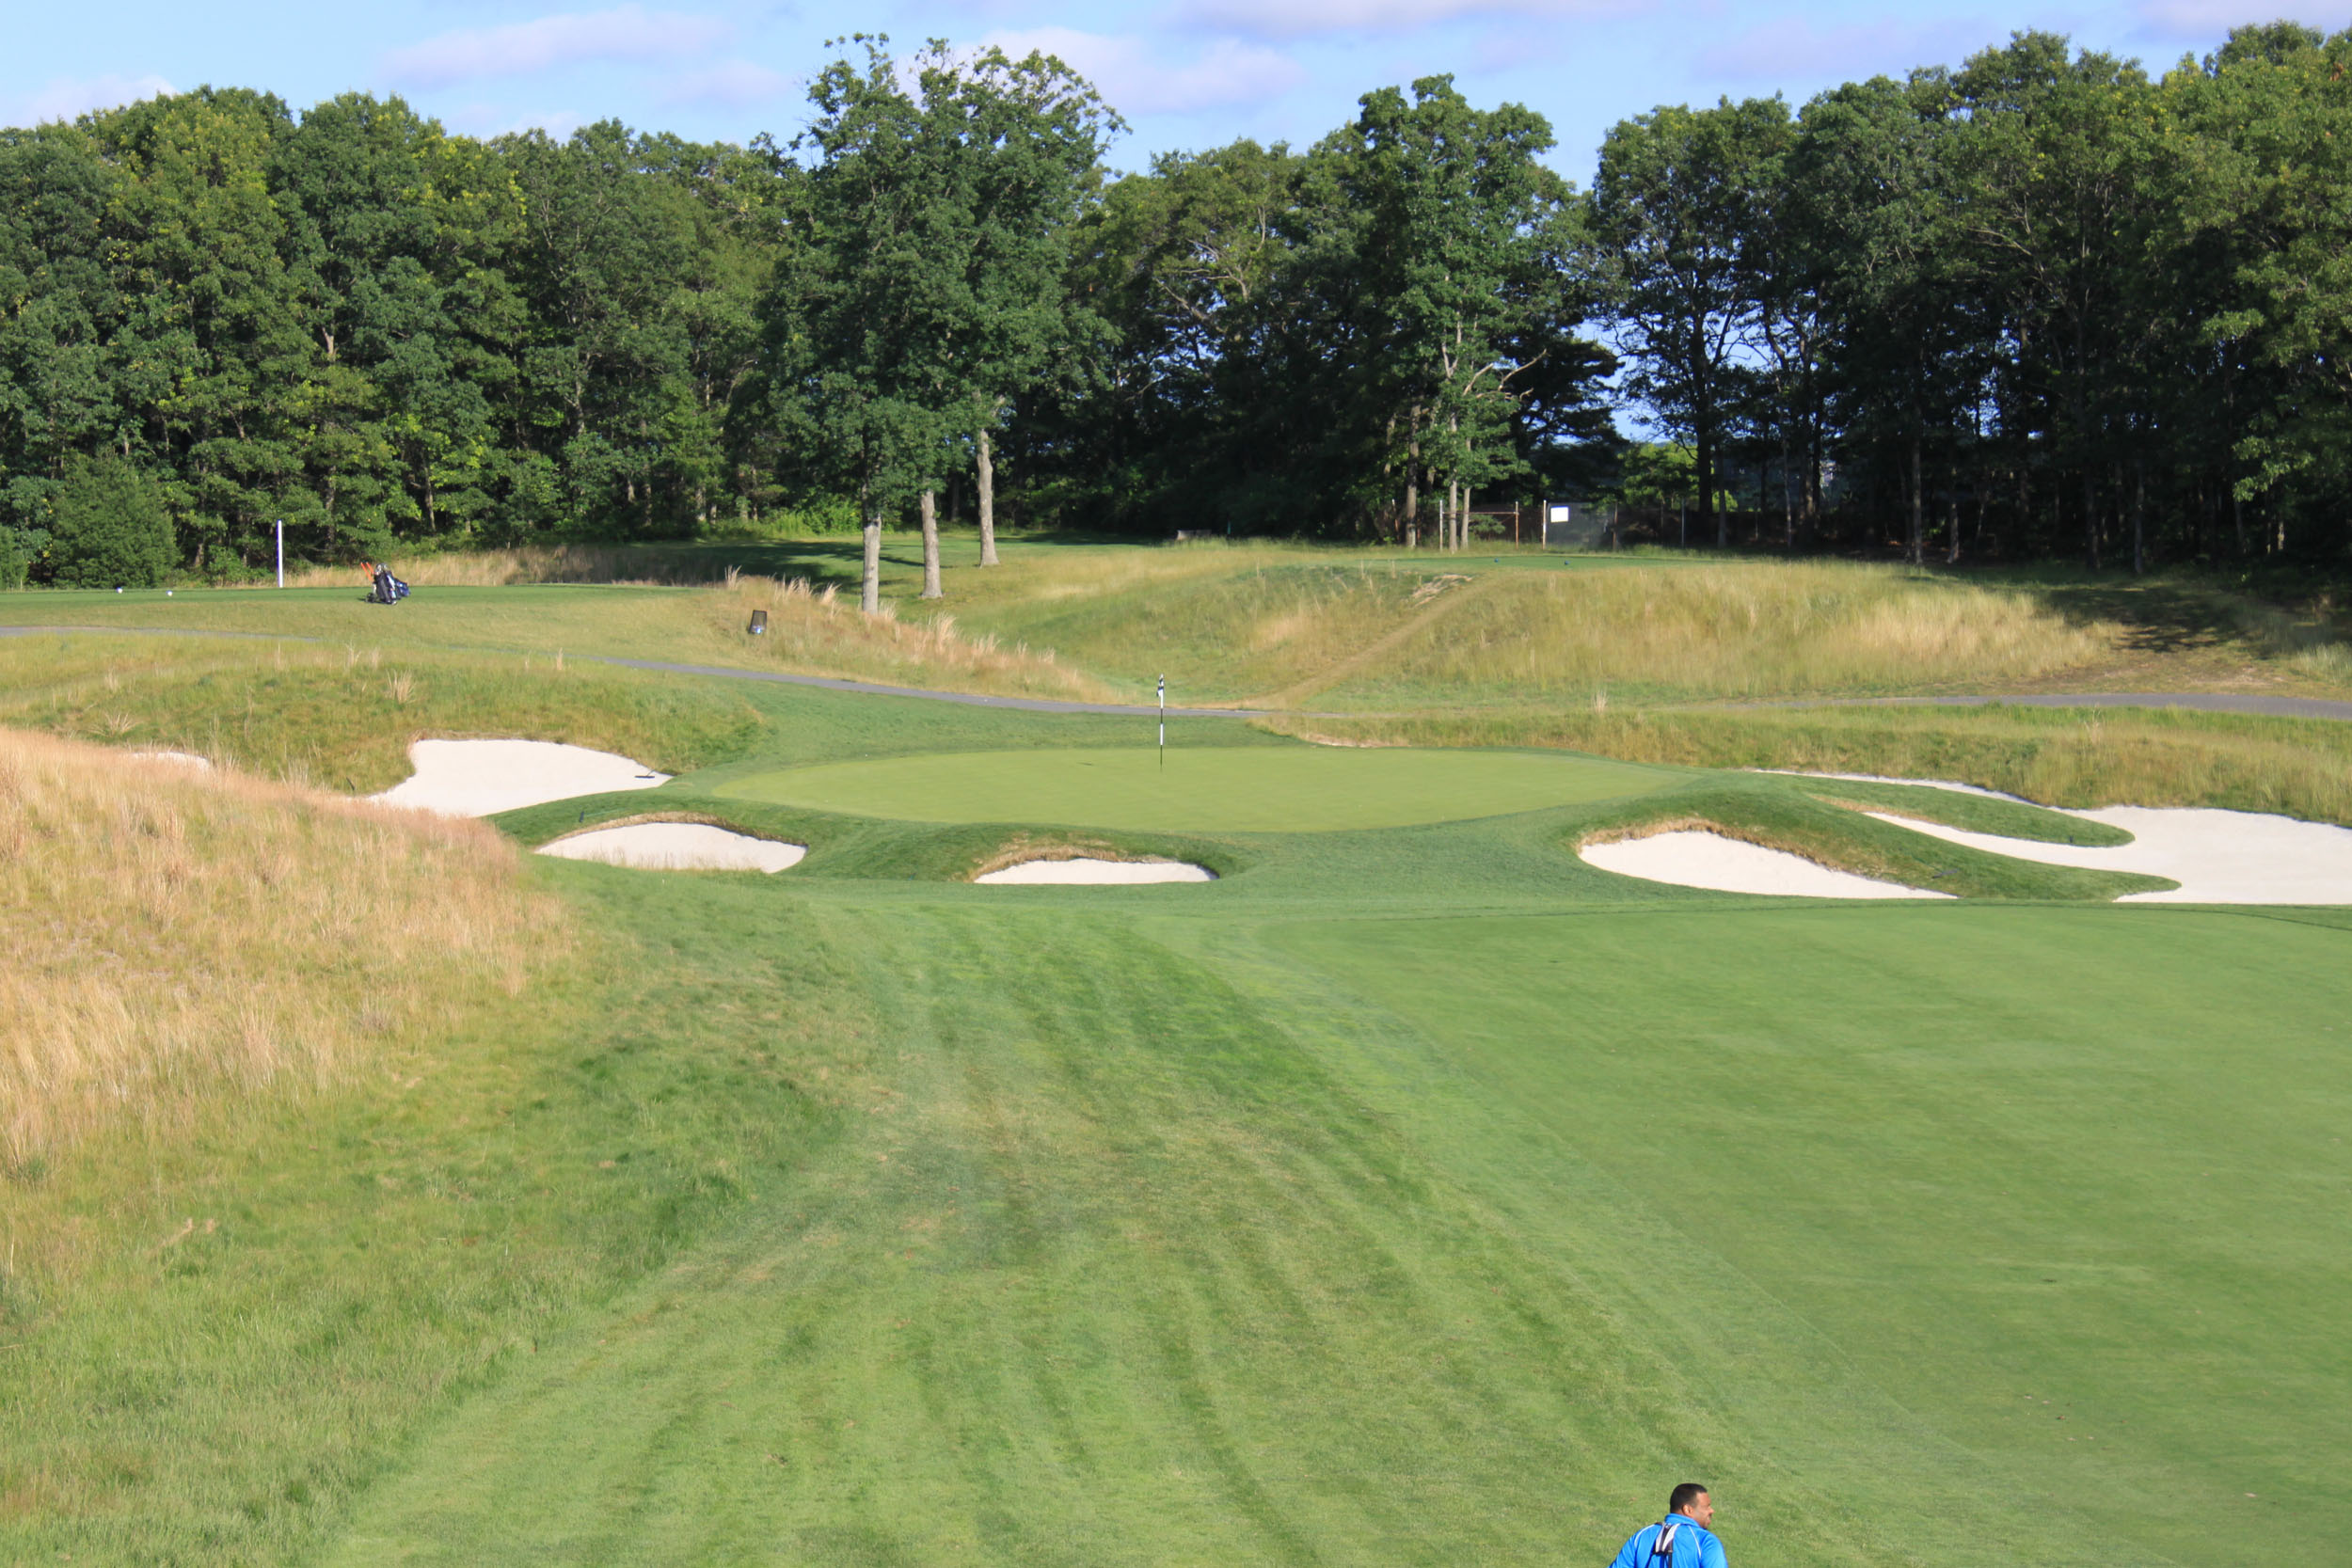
{"x": 822, "y": 634}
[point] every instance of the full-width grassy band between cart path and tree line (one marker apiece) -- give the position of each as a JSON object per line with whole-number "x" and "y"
{"x": 1321, "y": 629}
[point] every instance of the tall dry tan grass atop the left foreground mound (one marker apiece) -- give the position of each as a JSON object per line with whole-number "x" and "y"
{"x": 178, "y": 934}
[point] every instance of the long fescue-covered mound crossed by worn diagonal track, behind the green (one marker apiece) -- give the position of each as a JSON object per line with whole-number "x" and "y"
{"x": 1297, "y": 629}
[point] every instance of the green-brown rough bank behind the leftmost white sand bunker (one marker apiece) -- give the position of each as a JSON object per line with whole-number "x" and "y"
{"x": 345, "y": 716}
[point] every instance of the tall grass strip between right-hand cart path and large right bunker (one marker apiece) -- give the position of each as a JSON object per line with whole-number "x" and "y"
{"x": 2052, "y": 756}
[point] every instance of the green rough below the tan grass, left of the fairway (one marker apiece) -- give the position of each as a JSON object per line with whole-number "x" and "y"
{"x": 218, "y": 1339}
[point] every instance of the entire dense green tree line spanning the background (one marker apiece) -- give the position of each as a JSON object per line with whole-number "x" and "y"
{"x": 2038, "y": 304}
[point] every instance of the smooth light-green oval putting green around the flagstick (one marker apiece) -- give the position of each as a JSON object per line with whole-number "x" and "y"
{"x": 1248, "y": 789}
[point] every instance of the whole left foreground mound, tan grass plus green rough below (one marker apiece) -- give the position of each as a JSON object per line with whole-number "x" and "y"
{"x": 293, "y": 1160}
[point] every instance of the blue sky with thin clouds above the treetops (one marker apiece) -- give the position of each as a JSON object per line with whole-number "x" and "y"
{"x": 1187, "y": 74}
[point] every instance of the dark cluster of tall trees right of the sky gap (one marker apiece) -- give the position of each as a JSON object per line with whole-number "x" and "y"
{"x": 2043, "y": 304}
